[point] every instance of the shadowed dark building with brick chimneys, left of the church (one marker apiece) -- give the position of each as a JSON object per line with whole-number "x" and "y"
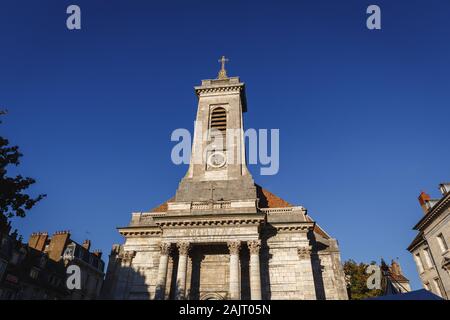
{"x": 37, "y": 270}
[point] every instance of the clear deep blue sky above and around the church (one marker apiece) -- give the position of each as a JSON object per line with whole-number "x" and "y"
{"x": 363, "y": 115}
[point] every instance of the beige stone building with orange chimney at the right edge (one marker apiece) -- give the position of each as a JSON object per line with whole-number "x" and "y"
{"x": 430, "y": 248}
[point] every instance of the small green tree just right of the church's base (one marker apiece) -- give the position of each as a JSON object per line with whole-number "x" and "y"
{"x": 357, "y": 281}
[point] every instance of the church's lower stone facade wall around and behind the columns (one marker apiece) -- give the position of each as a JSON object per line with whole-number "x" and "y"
{"x": 294, "y": 264}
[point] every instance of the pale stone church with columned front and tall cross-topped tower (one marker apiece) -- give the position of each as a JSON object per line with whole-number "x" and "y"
{"x": 222, "y": 236}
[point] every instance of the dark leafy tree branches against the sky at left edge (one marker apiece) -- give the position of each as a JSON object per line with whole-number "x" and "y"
{"x": 13, "y": 199}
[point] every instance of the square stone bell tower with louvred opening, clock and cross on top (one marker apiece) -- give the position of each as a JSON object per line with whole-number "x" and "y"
{"x": 218, "y": 169}
